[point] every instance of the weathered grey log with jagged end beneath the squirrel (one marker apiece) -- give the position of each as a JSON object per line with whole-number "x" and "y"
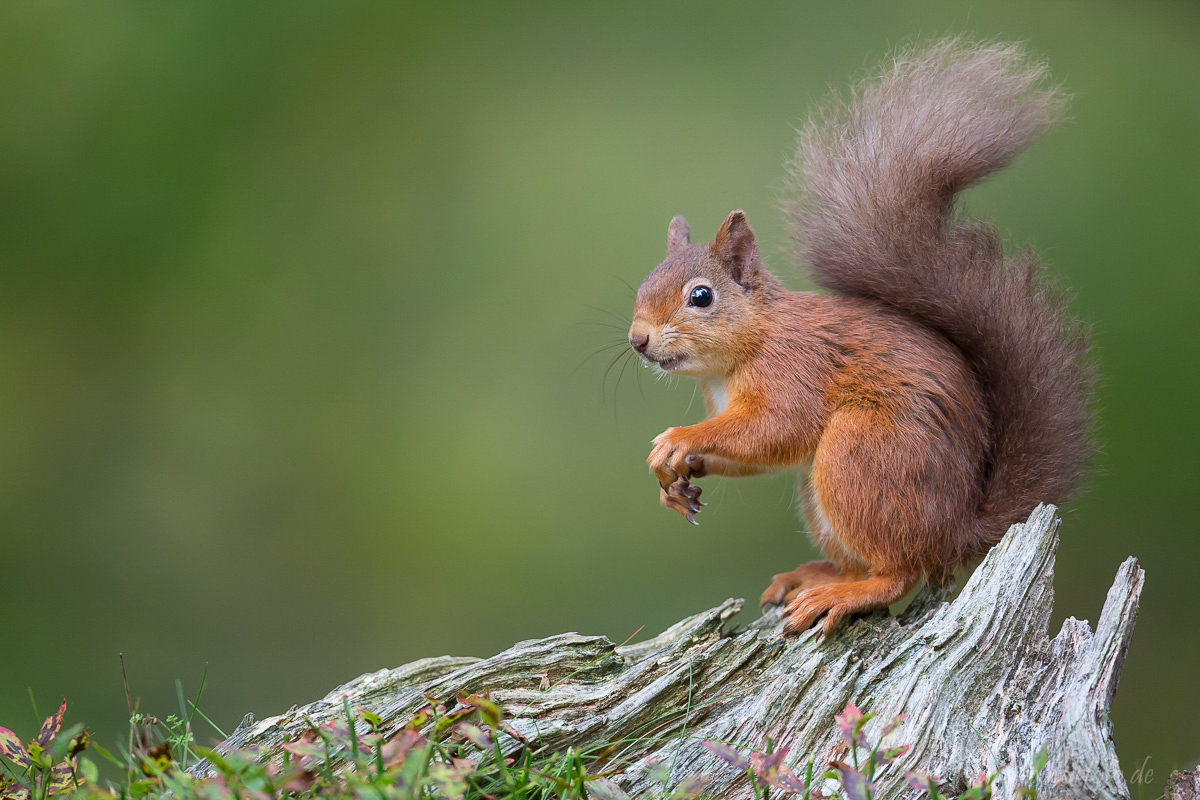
{"x": 983, "y": 685}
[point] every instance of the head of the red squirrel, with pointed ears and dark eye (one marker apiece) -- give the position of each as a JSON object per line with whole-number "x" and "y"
{"x": 704, "y": 306}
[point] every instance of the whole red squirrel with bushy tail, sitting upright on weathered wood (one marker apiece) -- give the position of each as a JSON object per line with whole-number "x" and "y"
{"x": 939, "y": 393}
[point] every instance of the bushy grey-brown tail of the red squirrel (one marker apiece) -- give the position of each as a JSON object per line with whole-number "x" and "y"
{"x": 873, "y": 215}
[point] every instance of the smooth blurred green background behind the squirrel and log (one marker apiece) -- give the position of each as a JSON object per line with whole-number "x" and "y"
{"x": 295, "y": 300}
